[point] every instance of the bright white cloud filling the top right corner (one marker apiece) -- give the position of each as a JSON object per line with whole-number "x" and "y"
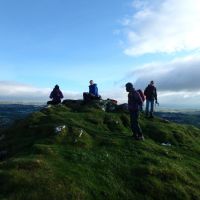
{"x": 166, "y": 26}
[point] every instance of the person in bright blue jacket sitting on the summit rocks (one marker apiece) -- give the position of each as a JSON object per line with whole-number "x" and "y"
{"x": 93, "y": 92}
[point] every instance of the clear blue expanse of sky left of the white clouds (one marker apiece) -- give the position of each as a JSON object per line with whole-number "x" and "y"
{"x": 69, "y": 42}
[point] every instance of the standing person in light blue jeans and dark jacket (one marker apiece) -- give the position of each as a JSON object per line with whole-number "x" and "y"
{"x": 151, "y": 97}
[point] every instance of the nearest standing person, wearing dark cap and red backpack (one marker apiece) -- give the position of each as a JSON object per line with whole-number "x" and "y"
{"x": 134, "y": 102}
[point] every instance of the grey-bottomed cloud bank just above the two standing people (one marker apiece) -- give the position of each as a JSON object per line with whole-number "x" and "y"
{"x": 181, "y": 74}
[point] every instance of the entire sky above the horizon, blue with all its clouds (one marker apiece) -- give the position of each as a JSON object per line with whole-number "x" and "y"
{"x": 48, "y": 42}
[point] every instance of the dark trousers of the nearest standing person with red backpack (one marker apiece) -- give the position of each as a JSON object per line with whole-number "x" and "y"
{"x": 137, "y": 132}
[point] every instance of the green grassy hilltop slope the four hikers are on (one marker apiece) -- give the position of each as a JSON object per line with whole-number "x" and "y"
{"x": 94, "y": 157}
